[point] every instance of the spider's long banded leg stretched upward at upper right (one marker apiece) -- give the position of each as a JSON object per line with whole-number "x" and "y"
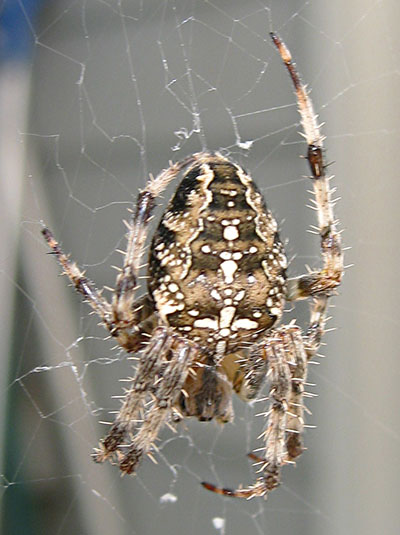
{"x": 326, "y": 280}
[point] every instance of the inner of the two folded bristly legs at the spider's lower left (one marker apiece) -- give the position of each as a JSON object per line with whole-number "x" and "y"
{"x": 169, "y": 387}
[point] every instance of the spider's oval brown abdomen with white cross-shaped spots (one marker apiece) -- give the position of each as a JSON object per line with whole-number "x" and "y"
{"x": 217, "y": 265}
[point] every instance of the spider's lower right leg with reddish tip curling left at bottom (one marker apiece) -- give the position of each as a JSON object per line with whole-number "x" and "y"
{"x": 279, "y": 353}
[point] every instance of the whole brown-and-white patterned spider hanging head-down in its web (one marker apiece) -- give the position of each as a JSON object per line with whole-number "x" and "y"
{"x": 209, "y": 323}
